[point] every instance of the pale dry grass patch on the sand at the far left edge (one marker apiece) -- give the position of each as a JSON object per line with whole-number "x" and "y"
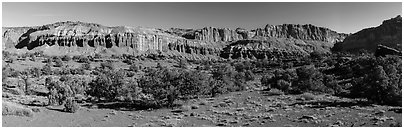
{"x": 10, "y": 108}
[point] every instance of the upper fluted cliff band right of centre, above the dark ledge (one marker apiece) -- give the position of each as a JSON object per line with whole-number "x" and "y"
{"x": 303, "y": 32}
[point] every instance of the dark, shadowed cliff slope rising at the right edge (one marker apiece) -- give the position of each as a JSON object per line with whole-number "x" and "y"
{"x": 387, "y": 34}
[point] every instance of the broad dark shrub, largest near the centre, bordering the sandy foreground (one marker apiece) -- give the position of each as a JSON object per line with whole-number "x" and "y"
{"x": 166, "y": 85}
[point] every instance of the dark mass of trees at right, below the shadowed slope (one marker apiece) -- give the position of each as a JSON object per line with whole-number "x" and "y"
{"x": 362, "y": 76}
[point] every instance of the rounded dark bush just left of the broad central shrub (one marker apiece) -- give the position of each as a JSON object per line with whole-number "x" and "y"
{"x": 106, "y": 85}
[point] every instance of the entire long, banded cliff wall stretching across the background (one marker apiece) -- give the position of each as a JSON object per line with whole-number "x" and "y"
{"x": 89, "y": 38}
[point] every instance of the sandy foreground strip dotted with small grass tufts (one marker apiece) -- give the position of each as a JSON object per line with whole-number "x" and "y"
{"x": 248, "y": 108}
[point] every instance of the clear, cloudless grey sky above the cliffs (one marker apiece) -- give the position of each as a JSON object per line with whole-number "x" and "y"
{"x": 341, "y": 17}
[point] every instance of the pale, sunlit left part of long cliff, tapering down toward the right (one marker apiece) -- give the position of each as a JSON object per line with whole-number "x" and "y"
{"x": 79, "y": 34}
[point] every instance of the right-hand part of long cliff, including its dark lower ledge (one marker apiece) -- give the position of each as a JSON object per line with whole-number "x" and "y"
{"x": 285, "y": 40}
